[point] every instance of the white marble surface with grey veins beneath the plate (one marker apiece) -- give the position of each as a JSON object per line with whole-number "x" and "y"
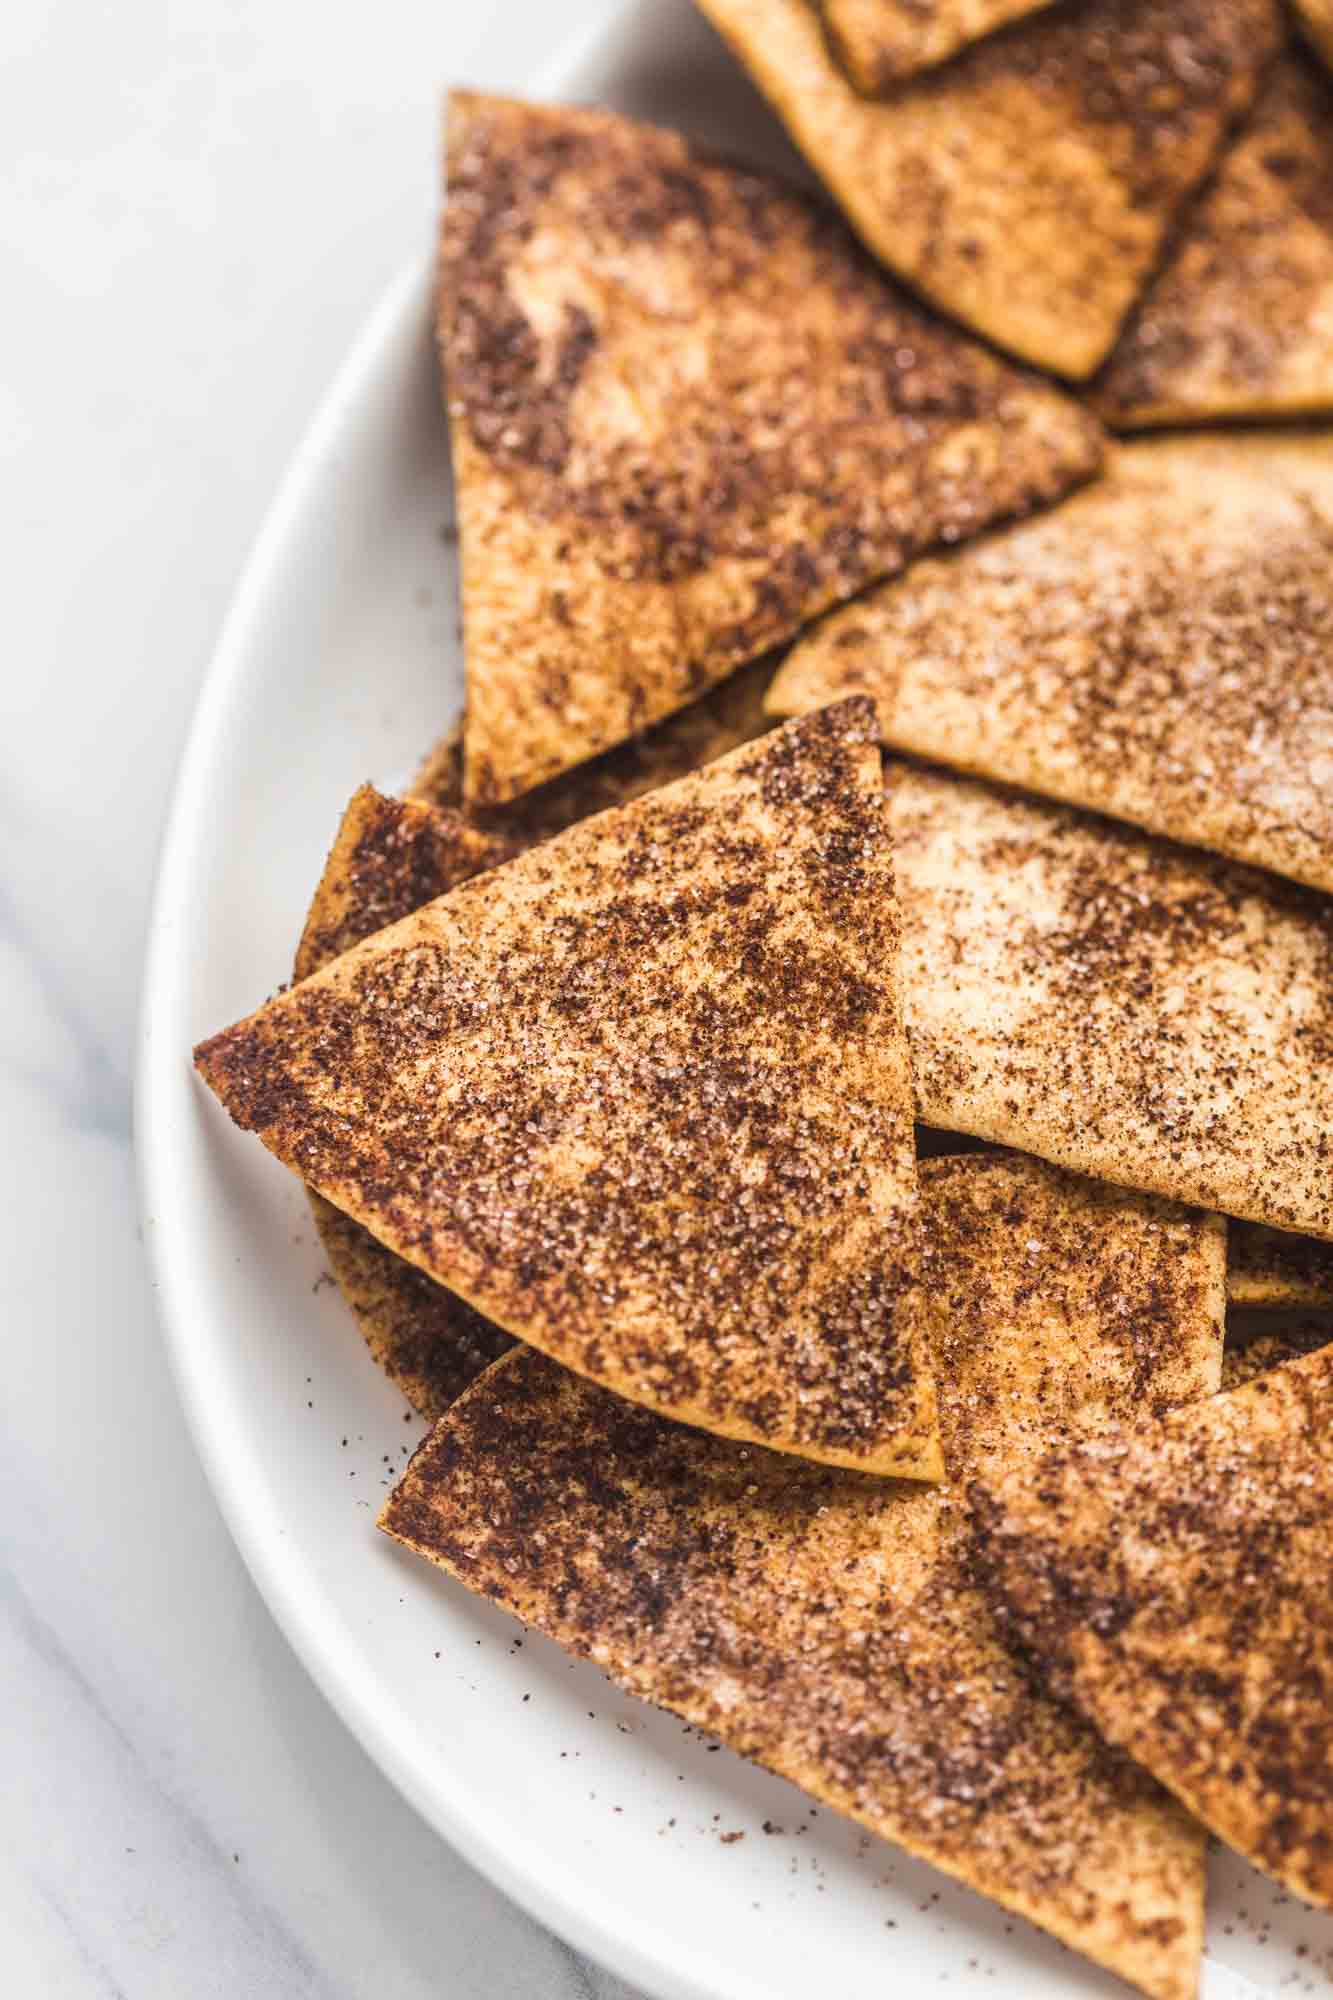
{"x": 199, "y": 203}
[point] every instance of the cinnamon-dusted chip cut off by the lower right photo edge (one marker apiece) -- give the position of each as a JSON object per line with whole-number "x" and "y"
{"x": 1178, "y": 1581}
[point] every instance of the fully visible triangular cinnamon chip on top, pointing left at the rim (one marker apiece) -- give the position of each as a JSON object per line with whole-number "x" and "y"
{"x": 641, "y": 1097}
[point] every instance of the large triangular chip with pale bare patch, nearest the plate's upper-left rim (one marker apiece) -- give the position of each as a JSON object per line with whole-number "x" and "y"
{"x": 688, "y": 413}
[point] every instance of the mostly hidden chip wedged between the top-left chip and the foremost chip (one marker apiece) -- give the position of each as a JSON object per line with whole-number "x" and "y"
{"x": 722, "y": 721}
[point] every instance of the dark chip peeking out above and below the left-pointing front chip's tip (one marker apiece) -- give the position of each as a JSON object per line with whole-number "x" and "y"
{"x": 389, "y": 859}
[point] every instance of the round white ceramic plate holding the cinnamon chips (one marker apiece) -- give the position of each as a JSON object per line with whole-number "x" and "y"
{"x": 607, "y": 1819}
